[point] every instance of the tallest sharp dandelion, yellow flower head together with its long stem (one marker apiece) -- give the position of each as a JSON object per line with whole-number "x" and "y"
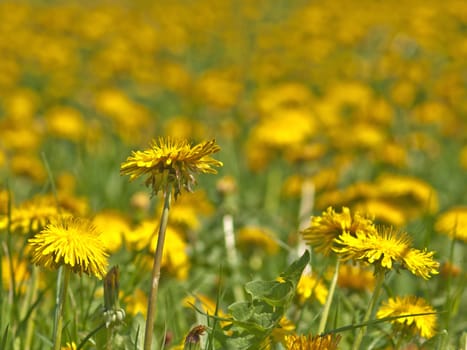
{"x": 170, "y": 165}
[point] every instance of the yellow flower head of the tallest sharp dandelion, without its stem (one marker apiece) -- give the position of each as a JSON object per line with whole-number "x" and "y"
{"x": 172, "y": 161}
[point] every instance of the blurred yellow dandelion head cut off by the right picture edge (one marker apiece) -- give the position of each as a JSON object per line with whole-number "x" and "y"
{"x": 453, "y": 223}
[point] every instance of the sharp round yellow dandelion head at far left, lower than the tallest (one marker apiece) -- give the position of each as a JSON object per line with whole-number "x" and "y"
{"x": 72, "y": 242}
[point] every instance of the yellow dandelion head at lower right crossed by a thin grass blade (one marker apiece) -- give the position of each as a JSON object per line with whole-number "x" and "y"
{"x": 424, "y": 325}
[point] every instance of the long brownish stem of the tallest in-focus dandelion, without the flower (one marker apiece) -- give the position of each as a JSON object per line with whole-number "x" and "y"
{"x": 156, "y": 271}
